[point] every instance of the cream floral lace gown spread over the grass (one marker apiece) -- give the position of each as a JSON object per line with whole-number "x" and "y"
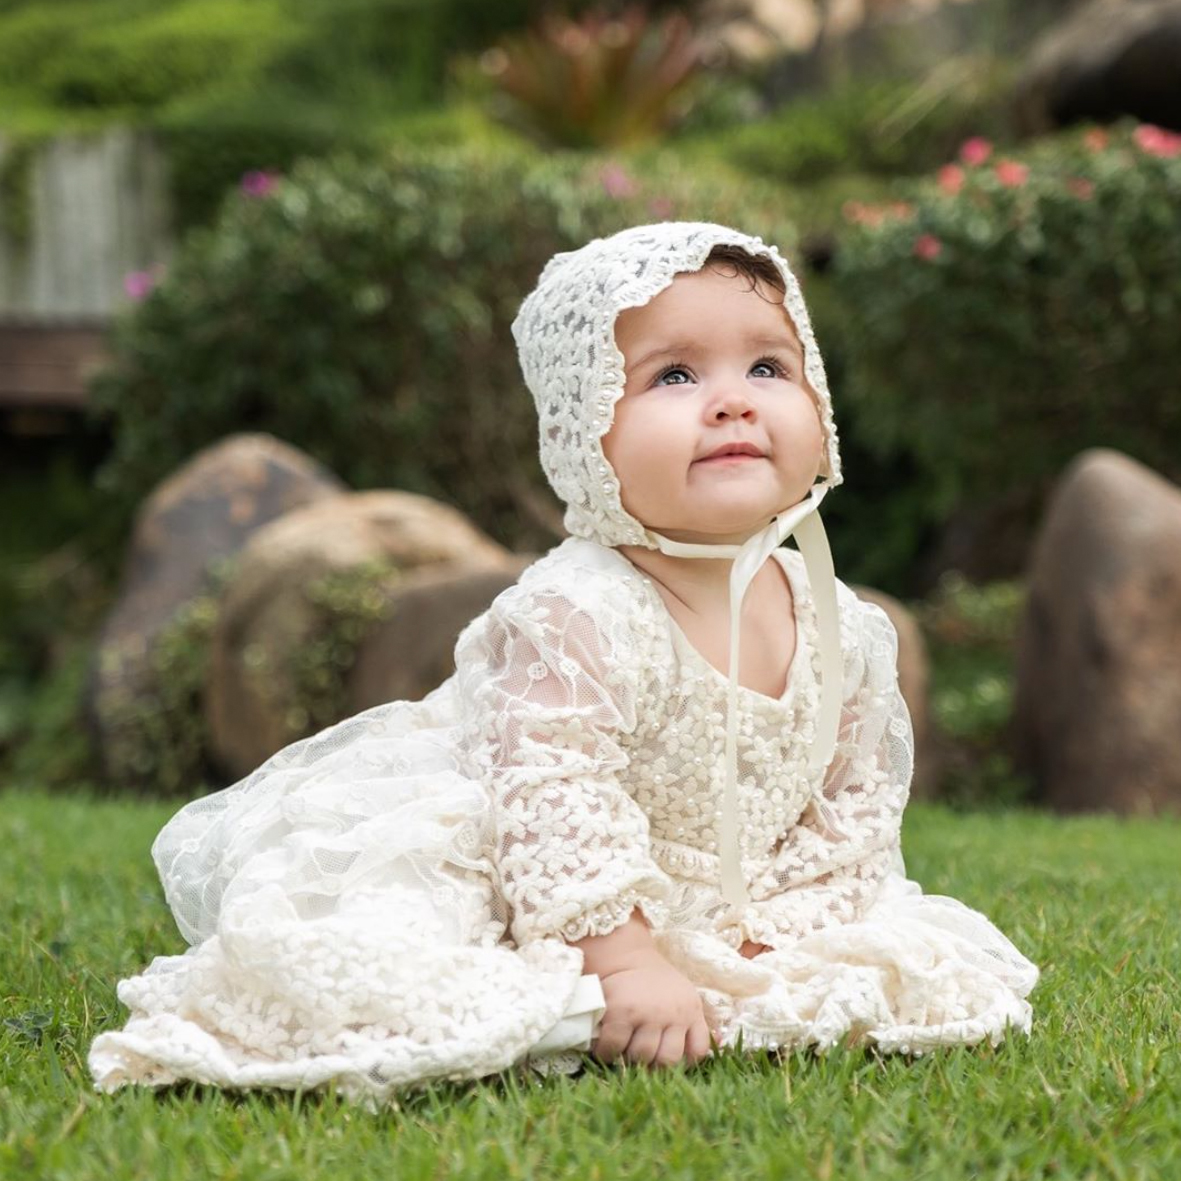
{"x": 389, "y": 902}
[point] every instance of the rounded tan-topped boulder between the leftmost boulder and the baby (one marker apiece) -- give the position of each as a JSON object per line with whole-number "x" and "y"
{"x": 271, "y": 627}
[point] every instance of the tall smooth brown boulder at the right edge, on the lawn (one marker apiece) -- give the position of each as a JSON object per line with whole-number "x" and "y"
{"x": 1098, "y": 709}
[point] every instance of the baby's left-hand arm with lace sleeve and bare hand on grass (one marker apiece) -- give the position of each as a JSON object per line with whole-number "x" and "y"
{"x": 546, "y": 691}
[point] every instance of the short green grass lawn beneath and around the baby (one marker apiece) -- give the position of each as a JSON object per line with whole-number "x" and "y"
{"x": 1095, "y": 1093}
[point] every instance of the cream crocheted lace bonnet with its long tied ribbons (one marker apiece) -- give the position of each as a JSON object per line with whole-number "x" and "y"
{"x": 572, "y": 366}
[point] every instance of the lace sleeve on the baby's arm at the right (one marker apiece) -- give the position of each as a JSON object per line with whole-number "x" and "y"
{"x": 830, "y": 867}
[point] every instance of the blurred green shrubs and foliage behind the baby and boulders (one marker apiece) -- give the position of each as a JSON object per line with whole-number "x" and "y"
{"x": 345, "y": 168}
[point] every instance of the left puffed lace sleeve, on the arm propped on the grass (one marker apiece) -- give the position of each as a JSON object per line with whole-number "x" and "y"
{"x": 546, "y": 690}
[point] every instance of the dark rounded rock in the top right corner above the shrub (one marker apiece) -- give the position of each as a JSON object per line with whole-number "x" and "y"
{"x": 1107, "y": 60}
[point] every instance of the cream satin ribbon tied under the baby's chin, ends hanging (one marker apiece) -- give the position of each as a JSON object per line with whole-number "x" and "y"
{"x": 805, "y": 523}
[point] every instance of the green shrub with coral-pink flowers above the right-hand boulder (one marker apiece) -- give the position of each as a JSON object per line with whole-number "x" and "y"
{"x": 1013, "y": 314}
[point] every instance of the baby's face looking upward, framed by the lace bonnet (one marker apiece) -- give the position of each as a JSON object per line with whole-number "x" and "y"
{"x": 710, "y": 362}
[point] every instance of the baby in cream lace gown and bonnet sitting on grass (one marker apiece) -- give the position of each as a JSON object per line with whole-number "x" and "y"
{"x": 658, "y": 806}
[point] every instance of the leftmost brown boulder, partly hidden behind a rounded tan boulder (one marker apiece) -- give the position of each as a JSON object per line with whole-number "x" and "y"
{"x": 201, "y": 514}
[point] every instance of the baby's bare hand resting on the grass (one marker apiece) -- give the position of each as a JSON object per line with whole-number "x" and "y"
{"x": 655, "y": 1015}
